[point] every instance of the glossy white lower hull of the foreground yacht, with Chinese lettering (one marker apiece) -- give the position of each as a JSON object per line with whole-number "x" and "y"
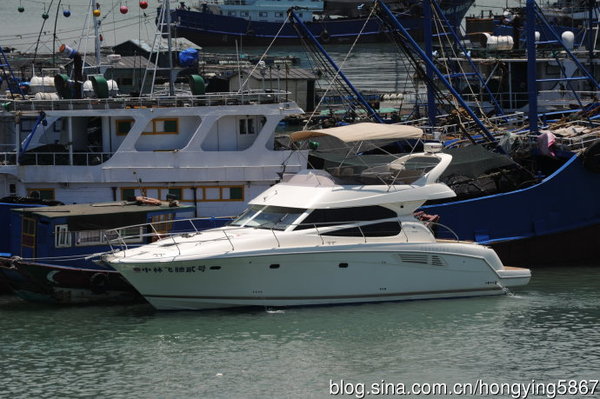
{"x": 319, "y": 277}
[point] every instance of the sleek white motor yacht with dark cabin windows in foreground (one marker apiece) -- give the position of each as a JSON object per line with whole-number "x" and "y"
{"x": 320, "y": 238}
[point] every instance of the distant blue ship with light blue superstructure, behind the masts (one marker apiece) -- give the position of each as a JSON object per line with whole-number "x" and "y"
{"x": 259, "y": 22}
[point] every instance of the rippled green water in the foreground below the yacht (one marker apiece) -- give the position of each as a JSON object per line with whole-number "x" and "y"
{"x": 546, "y": 331}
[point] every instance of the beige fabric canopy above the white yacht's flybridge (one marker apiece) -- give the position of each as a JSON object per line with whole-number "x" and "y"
{"x": 364, "y": 131}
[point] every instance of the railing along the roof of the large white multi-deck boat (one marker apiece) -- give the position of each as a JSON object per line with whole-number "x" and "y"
{"x": 209, "y": 99}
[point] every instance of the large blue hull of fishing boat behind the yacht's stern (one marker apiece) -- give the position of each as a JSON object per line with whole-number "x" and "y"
{"x": 555, "y": 221}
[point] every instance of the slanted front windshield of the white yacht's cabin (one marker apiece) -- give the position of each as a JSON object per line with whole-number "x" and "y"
{"x": 269, "y": 217}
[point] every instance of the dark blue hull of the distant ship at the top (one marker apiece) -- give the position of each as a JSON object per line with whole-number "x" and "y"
{"x": 207, "y": 29}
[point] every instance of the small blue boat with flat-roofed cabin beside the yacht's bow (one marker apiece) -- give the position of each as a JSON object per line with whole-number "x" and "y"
{"x": 50, "y": 248}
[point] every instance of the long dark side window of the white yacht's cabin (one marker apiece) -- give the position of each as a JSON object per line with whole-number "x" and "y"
{"x": 323, "y": 217}
